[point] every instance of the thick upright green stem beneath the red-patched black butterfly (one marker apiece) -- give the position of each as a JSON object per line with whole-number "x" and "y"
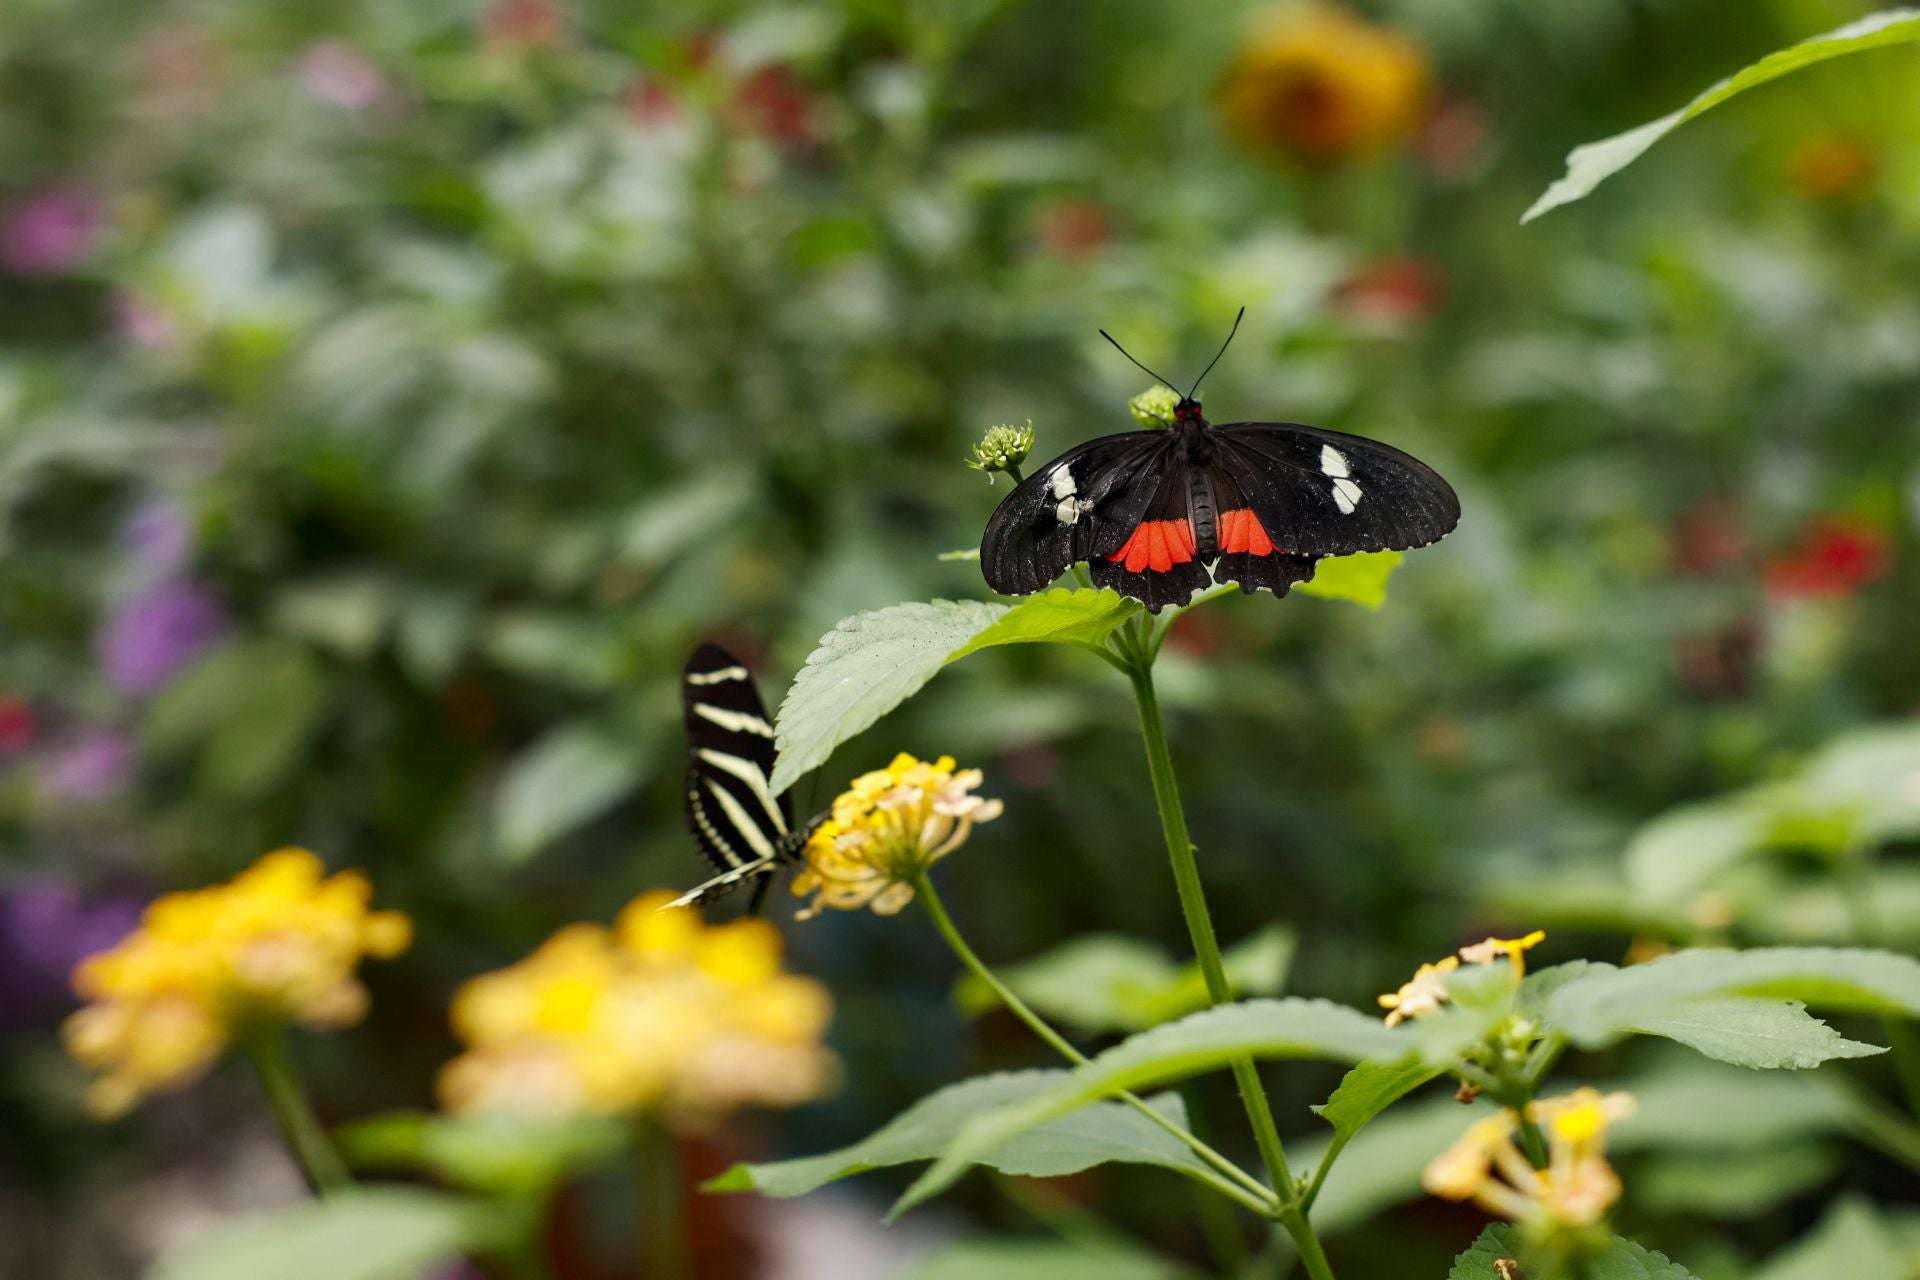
{"x": 1207, "y": 951}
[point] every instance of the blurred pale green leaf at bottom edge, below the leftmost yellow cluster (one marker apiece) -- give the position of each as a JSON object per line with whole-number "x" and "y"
{"x": 370, "y": 1233}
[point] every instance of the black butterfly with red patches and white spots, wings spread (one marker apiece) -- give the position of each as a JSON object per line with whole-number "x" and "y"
{"x": 1159, "y": 515}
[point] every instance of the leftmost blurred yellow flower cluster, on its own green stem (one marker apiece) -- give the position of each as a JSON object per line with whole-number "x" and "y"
{"x": 277, "y": 943}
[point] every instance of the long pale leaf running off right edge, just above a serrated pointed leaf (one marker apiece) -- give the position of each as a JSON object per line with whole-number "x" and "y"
{"x": 1600, "y": 1008}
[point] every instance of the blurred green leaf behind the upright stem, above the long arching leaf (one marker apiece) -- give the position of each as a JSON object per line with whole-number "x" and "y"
{"x": 1107, "y": 982}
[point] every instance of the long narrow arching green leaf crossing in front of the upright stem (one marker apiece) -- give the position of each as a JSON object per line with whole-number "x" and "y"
{"x": 1172, "y": 1053}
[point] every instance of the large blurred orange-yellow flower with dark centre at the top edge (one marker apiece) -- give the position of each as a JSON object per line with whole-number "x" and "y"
{"x": 1318, "y": 83}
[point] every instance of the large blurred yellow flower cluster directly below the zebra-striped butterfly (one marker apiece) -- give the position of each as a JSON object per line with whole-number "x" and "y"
{"x": 660, "y": 1014}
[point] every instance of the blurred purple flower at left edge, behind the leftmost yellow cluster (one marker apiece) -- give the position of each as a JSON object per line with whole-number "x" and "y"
{"x": 47, "y": 926}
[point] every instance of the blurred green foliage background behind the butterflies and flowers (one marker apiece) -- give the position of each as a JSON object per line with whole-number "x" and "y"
{"x": 489, "y": 400}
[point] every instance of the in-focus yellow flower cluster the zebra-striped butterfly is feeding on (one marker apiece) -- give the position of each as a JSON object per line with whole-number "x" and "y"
{"x": 886, "y": 830}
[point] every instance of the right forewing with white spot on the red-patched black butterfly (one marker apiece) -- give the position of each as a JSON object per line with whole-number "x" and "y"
{"x": 1320, "y": 494}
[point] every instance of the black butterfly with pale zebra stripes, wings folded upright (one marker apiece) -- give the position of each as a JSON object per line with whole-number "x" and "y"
{"x": 742, "y": 828}
